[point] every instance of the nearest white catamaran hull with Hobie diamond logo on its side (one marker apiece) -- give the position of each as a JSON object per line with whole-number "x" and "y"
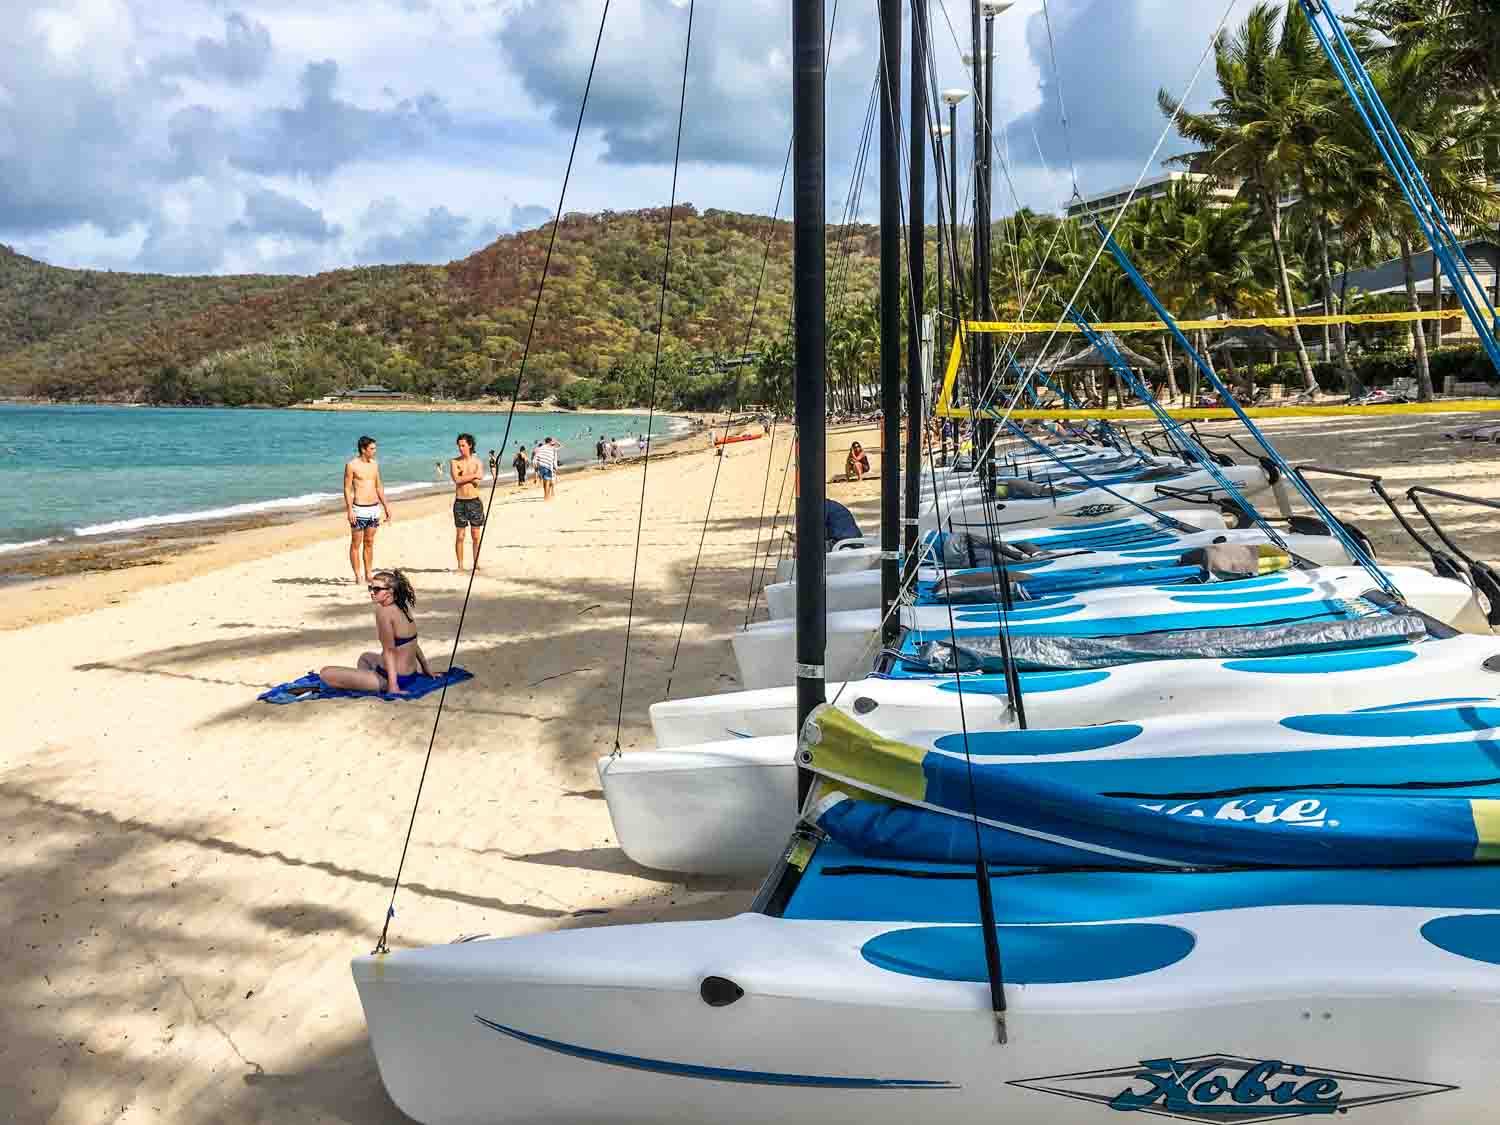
{"x": 1327, "y": 1010}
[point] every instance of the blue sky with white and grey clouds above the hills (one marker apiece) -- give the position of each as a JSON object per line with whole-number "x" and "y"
{"x": 299, "y": 136}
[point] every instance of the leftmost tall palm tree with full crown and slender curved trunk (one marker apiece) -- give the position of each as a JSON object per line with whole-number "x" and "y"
{"x": 1267, "y": 124}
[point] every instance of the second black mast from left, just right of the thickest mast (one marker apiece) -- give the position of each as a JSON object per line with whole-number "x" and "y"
{"x": 890, "y": 316}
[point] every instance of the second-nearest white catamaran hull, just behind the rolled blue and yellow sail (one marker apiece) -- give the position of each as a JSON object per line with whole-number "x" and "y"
{"x": 719, "y": 794}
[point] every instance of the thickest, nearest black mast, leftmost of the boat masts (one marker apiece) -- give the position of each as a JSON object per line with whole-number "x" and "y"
{"x": 809, "y": 275}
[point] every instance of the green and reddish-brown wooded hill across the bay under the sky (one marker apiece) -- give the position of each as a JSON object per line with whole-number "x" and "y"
{"x": 452, "y": 331}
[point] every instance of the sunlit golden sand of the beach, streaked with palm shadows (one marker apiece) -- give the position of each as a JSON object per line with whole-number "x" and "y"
{"x": 190, "y": 871}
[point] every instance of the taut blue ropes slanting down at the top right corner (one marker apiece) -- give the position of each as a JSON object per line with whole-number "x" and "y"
{"x": 1430, "y": 217}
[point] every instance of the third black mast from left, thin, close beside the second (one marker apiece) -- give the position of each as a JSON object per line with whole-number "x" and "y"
{"x": 916, "y": 250}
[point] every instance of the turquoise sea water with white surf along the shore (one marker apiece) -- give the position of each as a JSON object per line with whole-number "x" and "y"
{"x": 68, "y": 472}
